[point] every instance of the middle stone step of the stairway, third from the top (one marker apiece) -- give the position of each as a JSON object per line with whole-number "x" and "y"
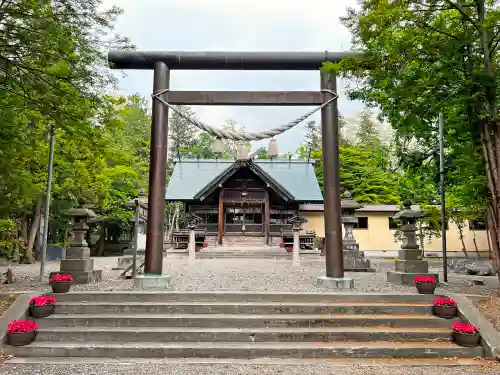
{"x": 243, "y": 321}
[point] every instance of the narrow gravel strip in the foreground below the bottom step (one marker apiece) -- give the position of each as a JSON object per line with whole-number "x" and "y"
{"x": 183, "y": 369}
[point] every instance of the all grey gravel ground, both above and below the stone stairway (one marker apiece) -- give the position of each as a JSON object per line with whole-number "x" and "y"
{"x": 242, "y": 275}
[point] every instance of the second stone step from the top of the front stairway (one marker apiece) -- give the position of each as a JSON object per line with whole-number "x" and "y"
{"x": 241, "y": 308}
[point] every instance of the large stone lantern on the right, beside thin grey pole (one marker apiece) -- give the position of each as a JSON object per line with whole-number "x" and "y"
{"x": 410, "y": 262}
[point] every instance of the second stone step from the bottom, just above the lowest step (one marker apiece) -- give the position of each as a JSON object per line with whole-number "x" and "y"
{"x": 172, "y": 334}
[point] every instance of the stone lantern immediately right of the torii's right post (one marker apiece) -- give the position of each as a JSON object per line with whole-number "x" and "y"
{"x": 354, "y": 260}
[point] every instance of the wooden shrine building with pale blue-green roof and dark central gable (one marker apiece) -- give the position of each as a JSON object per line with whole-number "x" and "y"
{"x": 244, "y": 198}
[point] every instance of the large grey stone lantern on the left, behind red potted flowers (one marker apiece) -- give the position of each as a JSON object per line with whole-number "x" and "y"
{"x": 78, "y": 262}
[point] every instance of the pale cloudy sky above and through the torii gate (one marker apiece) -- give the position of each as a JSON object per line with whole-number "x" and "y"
{"x": 237, "y": 25}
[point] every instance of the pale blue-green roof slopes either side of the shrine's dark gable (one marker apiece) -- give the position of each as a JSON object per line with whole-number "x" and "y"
{"x": 294, "y": 178}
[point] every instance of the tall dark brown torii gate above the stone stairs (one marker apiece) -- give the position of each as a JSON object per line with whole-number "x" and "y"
{"x": 163, "y": 62}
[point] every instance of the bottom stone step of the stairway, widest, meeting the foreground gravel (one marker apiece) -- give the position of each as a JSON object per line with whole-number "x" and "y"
{"x": 244, "y": 350}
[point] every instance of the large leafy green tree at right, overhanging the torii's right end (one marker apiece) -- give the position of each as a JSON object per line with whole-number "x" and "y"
{"x": 422, "y": 58}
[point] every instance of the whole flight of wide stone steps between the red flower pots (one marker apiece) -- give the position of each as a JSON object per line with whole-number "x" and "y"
{"x": 243, "y": 326}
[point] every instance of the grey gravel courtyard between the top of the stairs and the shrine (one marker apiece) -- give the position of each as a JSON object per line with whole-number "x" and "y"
{"x": 248, "y": 275}
